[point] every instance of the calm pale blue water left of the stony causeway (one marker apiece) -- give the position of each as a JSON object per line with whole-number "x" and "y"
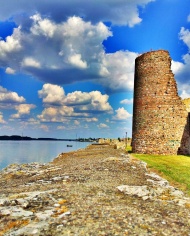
{"x": 34, "y": 151}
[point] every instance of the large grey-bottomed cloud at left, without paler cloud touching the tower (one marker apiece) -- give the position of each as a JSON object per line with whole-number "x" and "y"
{"x": 74, "y": 49}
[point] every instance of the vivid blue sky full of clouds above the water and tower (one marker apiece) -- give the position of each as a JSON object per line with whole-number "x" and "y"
{"x": 67, "y": 67}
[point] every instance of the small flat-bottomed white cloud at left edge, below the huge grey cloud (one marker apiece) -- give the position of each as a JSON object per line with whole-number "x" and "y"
{"x": 10, "y": 97}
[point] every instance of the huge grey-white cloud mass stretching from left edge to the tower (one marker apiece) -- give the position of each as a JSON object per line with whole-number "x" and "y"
{"x": 75, "y": 53}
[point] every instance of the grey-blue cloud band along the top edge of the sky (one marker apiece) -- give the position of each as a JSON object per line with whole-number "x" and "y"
{"x": 123, "y": 12}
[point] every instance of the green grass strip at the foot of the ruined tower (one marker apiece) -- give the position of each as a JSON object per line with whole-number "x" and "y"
{"x": 174, "y": 168}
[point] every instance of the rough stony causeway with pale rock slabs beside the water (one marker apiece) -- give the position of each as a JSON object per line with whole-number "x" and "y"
{"x": 98, "y": 190}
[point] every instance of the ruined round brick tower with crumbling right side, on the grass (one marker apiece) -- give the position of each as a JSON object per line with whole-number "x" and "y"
{"x": 160, "y": 120}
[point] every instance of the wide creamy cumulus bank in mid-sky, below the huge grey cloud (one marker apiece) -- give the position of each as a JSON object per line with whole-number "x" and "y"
{"x": 61, "y": 106}
